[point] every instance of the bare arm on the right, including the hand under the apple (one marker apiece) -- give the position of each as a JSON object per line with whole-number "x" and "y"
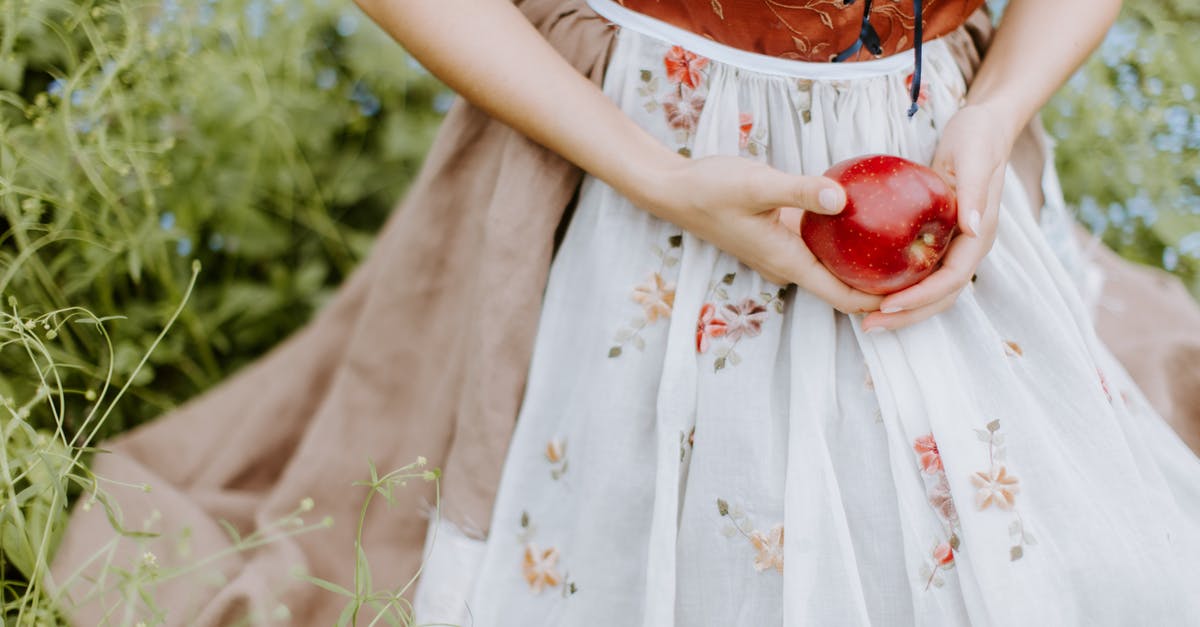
{"x": 1036, "y": 49}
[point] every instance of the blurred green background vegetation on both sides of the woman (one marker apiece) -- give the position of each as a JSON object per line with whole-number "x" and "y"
{"x": 269, "y": 140}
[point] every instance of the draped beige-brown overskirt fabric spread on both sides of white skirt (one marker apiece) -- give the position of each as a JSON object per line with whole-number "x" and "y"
{"x": 424, "y": 351}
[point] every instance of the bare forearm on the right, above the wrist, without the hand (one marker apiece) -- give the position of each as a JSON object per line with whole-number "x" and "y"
{"x": 1036, "y": 49}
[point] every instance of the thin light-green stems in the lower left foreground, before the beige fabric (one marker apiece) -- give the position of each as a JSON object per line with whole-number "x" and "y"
{"x": 40, "y": 468}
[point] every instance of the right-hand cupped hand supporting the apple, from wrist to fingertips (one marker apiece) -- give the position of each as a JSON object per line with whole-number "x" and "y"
{"x": 971, "y": 156}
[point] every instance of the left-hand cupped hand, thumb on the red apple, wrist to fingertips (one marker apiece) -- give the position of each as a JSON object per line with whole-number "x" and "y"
{"x": 752, "y": 212}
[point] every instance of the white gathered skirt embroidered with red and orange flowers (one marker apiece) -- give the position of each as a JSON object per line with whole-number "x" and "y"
{"x": 701, "y": 447}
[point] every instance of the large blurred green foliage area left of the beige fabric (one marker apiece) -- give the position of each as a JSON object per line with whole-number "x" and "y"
{"x": 268, "y": 140}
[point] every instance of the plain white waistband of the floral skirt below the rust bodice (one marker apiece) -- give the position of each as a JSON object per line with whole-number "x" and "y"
{"x": 749, "y": 61}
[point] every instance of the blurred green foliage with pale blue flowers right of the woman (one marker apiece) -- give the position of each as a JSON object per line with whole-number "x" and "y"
{"x": 1129, "y": 126}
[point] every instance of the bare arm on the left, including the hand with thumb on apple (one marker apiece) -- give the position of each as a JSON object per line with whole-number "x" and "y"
{"x": 488, "y": 52}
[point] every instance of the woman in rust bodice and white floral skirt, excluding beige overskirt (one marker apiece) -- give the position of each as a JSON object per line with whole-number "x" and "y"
{"x": 957, "y": 455}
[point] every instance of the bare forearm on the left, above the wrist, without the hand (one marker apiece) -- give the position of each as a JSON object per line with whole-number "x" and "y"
{"x": 489, "y": 53}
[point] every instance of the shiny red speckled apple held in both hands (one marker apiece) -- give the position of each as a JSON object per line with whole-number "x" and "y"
{"x": 897, "y": 225}
